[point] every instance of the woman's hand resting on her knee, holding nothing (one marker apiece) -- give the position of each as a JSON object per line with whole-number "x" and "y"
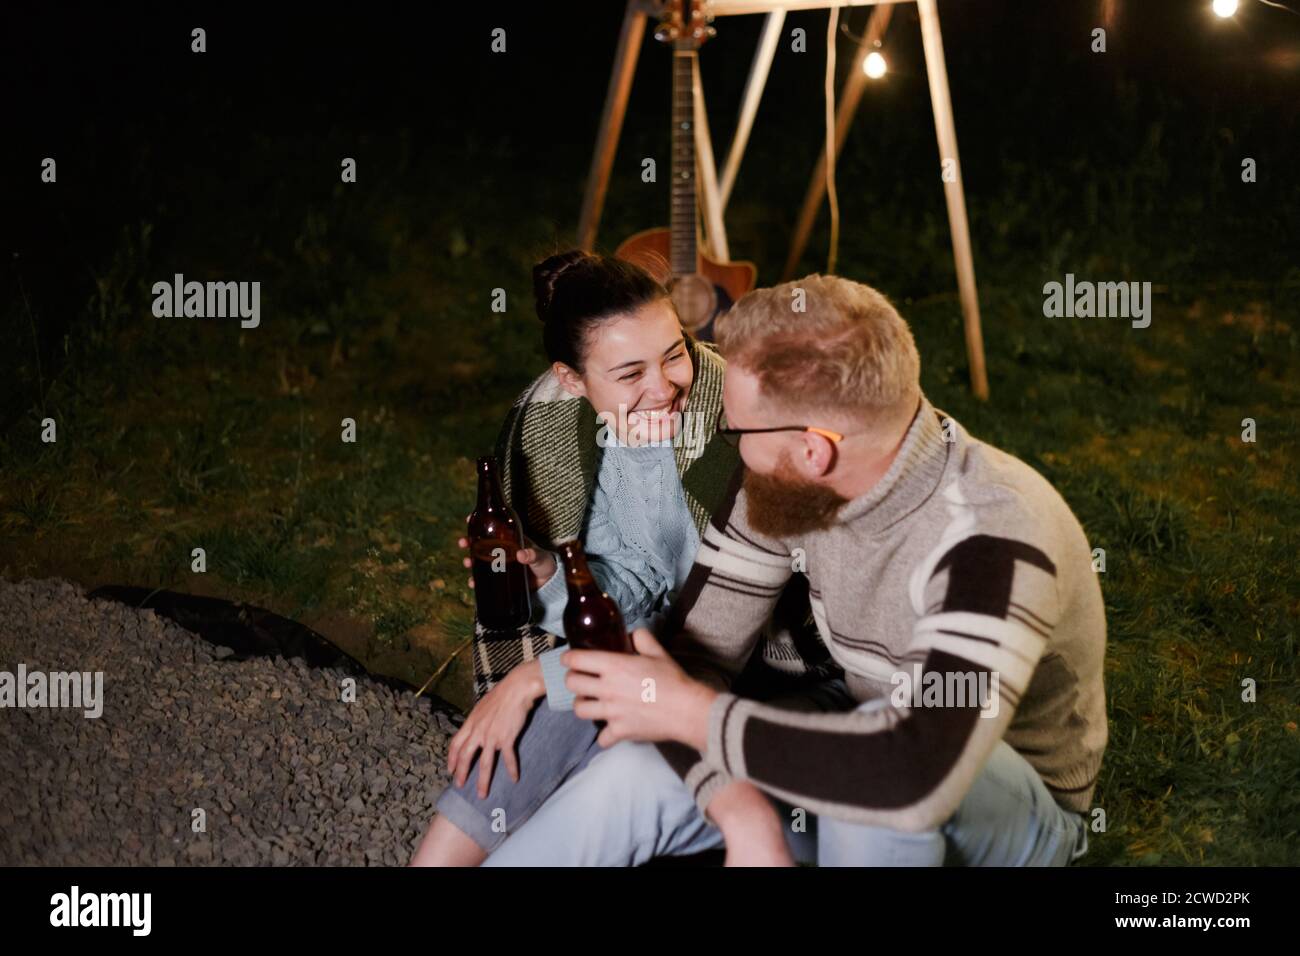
{"x": 495, "y": 725}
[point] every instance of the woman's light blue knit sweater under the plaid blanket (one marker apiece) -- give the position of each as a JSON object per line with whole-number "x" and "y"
{"x": 640, "y": 544}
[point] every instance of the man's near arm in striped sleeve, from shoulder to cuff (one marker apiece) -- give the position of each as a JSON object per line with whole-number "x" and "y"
{"x": 991, "y": 607}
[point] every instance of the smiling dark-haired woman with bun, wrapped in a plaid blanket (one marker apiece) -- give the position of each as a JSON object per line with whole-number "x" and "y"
{"x": 616, "y": 444}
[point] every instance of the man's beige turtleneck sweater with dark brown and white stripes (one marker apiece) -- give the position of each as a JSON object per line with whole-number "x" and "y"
{"x": 961, "y": 561}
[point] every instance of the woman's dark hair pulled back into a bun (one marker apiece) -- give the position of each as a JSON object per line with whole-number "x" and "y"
{"x": 578, "y": 291}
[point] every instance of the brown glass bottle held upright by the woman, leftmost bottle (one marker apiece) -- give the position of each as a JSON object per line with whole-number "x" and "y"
{"x": 496, "y": 537}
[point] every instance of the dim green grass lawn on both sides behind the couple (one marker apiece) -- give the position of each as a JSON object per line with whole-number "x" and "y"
{"x": 201, "y": 435}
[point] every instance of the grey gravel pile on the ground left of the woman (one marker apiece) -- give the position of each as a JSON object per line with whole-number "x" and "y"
{"x": 284, "y": 769}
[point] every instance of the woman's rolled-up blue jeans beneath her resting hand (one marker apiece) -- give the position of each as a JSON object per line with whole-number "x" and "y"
{"x": 553, "y": 747}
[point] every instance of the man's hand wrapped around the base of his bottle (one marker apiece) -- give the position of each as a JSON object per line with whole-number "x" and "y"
{"x": 643, "y": 697}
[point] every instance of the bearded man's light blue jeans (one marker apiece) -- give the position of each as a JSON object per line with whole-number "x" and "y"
{"x": 627, "y": 806}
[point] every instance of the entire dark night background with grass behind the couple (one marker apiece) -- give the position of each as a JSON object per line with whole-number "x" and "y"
{"x": 226, "y": 166}
